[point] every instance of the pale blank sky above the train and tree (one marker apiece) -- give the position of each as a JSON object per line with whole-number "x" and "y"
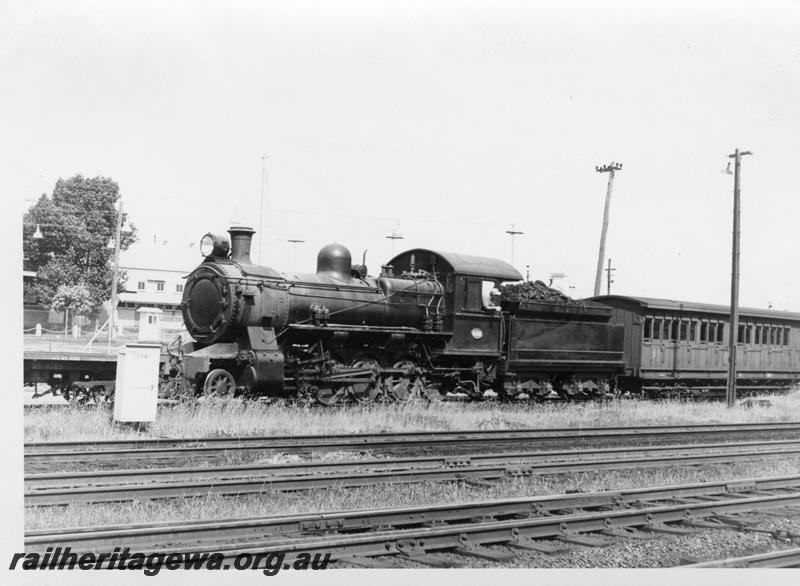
{"x": 447, "y": 123}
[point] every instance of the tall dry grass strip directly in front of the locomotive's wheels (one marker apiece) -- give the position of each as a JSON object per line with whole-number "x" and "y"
{"x": 234, "y": 418}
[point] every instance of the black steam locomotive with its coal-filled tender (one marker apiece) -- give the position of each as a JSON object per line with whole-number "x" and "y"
{"x": 431, "y": 323}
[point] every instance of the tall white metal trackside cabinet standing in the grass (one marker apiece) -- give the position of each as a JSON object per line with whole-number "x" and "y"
{"x": 136, "y": 393}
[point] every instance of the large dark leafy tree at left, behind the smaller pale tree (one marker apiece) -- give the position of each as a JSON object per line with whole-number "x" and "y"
{"x": 76, "y": 223}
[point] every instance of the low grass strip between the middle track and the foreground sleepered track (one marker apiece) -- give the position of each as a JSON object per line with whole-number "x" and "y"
{"x": 379, "y": 496}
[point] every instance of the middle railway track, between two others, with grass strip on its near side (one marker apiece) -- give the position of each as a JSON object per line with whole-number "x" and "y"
{"x": 121, "y": 485}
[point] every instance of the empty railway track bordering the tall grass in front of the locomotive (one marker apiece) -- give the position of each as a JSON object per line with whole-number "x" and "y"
{"x": 43, "y": 456}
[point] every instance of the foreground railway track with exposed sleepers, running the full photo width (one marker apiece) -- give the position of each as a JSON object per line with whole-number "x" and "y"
{"x": 429, "y": 535}
